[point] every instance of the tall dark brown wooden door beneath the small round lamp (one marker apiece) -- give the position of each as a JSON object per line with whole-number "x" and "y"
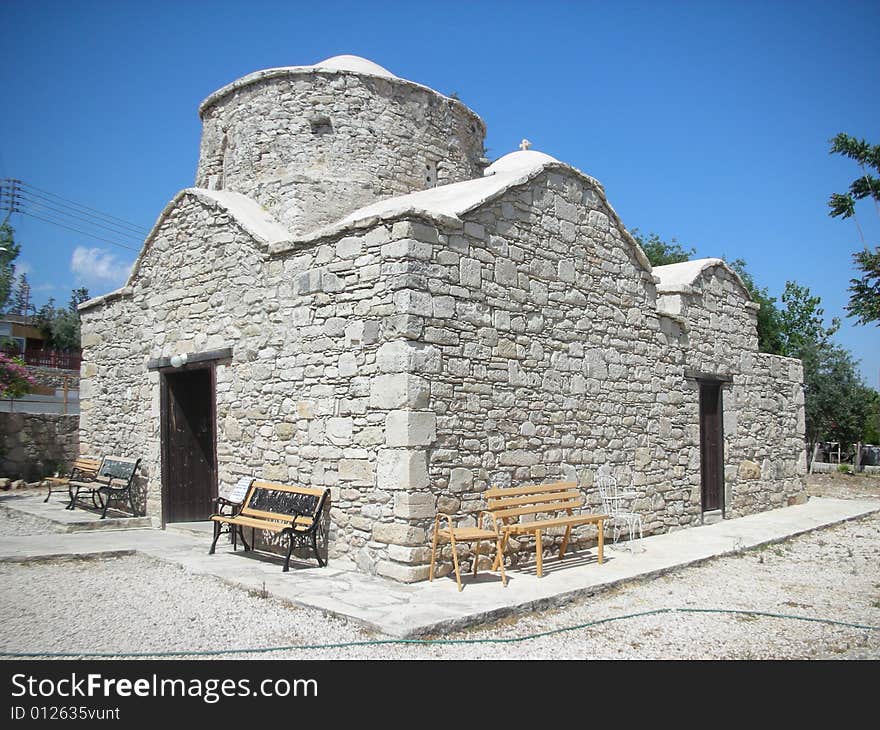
{"x": 189, "y": 481}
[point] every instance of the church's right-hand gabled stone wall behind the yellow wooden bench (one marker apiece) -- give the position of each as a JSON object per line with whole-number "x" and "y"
{"x": 534, "y": 354}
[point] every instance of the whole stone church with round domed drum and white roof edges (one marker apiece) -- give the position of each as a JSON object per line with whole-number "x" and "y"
{"x": 352, "y": 296}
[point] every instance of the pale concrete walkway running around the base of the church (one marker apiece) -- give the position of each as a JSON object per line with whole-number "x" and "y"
{"x": 420, "y": 609}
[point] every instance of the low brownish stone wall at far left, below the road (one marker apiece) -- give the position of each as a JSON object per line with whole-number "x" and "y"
{"x": 36, "y": 445}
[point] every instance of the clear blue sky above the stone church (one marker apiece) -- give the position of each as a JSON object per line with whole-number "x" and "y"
{"x": 707, "y": 122}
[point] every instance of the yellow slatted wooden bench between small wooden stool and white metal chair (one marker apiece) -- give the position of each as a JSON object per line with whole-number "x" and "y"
{"x": 534, "y": 509}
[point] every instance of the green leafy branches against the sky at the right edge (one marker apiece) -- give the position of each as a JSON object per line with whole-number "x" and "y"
{"x": 864, "y": 302}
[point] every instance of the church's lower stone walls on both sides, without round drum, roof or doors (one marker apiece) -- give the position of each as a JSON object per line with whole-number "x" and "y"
{"x": 409, "y": 366}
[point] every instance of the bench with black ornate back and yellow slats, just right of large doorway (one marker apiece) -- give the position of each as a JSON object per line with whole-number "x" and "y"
{"x": 294, "y": 512}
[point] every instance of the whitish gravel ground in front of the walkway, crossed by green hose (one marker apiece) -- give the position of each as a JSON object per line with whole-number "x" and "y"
{"x": 833, "y": 574}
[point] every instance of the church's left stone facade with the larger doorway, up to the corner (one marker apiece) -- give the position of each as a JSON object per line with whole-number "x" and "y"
{"x": 317, "y": 387}
